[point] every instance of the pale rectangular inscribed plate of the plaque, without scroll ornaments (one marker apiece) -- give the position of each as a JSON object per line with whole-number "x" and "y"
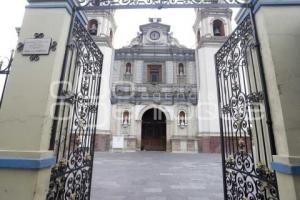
{"x": 36, "y": 46}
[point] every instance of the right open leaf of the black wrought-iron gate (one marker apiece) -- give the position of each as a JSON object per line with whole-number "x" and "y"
{"x": 246, "y": 130}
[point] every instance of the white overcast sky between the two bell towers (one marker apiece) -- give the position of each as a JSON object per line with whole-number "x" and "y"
{"x": 181, "y": 21}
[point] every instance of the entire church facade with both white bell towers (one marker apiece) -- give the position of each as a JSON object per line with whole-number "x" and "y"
{"x": 156, "y": 94}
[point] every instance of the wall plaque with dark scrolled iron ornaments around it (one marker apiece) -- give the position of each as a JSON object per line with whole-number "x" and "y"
{"x": 37, "y": 46}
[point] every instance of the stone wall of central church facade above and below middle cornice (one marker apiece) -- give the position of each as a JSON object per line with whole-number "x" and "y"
{"x": 179, "y": 139}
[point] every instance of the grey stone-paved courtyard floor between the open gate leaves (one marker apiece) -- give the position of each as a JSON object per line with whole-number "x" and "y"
{"x": 157, "y": 176}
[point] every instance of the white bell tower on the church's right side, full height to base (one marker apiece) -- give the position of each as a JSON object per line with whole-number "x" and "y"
{"x": 212, "y": 27}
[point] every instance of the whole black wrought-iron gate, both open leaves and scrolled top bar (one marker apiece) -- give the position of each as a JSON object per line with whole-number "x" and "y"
{"x": 246, "y": 131}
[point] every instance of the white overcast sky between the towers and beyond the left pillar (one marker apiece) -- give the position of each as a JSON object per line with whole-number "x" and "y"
{"x": 128, "y": 21}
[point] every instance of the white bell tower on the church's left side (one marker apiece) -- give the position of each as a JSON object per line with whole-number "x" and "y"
{"x": 102, "y": 27}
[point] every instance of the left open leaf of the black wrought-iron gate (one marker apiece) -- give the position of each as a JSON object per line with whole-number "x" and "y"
{"x": 75, "y": 117}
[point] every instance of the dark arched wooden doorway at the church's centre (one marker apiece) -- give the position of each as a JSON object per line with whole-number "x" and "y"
{"x": 154, "y": 130}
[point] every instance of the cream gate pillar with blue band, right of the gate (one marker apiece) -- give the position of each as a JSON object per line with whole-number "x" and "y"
{"x": 279, "y": 35}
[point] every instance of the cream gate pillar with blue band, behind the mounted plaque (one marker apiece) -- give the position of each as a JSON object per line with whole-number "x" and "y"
{"x": 28, "y": 104}
